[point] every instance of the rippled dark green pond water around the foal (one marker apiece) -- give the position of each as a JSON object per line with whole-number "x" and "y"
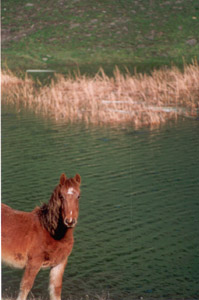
{"x": 138, "y": 229}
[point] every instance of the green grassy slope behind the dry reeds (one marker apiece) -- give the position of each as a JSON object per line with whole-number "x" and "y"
{"x": 66, "y": 35}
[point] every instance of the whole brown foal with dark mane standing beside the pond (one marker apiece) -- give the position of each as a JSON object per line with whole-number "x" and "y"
{"x": 43, "y": 237}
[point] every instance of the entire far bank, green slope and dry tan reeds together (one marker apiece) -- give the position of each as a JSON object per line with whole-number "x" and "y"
{"x": 85, "y": 35}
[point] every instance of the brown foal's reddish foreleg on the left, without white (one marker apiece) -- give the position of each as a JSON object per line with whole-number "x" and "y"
{"x": 28, "y": 280}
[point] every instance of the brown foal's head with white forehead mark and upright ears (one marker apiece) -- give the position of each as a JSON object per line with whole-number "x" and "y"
{"x": 69, "y": 194}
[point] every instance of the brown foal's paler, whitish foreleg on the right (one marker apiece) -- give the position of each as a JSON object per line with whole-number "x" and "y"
{"x": 56, "y": 276}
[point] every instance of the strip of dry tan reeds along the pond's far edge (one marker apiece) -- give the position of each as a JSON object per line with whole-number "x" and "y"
{"x": 139, "y": 100}
